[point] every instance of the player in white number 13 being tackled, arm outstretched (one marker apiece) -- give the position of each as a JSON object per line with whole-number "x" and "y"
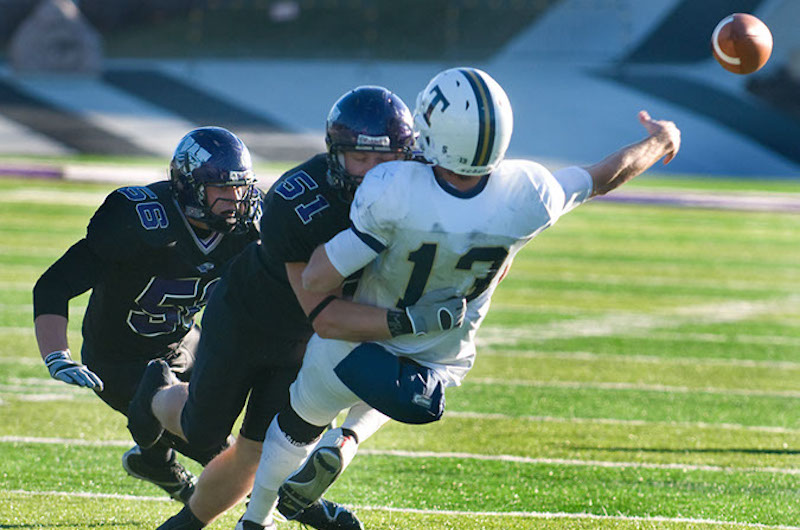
{"x": 452, "y": 225}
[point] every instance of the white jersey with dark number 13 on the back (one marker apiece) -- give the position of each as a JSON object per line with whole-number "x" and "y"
{"x": 429, "y": 236}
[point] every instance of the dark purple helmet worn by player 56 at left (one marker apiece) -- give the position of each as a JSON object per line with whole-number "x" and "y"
{"x": 213, "y": 156}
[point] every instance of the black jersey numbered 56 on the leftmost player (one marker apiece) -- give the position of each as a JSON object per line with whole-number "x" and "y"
{"x": 149, "y": 271}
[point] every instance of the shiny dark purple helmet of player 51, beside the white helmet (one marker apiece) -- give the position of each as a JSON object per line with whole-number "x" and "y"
{"x": 368, "y": 118}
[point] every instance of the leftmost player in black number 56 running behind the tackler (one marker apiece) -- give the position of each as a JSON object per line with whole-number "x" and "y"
{"x": 151, "y": 256}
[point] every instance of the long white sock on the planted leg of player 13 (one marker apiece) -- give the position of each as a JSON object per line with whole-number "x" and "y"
{"x": 279, "y": 459}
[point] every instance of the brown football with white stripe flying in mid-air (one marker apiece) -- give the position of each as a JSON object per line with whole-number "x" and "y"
{"x": 741, "y": 43}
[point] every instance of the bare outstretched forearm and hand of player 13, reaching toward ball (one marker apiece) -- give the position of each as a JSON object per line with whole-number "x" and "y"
{"x": 663, "y": 141}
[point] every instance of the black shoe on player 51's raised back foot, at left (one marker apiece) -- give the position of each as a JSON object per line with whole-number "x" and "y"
{"x": 143, "y": 425}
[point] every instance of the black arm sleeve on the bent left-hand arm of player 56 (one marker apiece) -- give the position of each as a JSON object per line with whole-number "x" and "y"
{"x": 74, "y": 273}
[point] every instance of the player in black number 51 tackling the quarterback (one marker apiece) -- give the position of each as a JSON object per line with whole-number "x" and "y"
{"x": 259, "y": 318}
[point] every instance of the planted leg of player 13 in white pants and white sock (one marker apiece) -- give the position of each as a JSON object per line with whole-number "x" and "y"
{"x": 316, "y": 397}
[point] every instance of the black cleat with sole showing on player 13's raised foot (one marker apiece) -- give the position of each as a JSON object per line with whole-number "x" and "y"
{"x": 306, "y": 486}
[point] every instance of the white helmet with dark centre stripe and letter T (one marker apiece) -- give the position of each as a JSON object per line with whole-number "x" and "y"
{"x": 464, "y": 120}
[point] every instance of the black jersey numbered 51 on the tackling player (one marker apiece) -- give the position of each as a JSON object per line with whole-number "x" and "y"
{"x": 300, "y": 212}
